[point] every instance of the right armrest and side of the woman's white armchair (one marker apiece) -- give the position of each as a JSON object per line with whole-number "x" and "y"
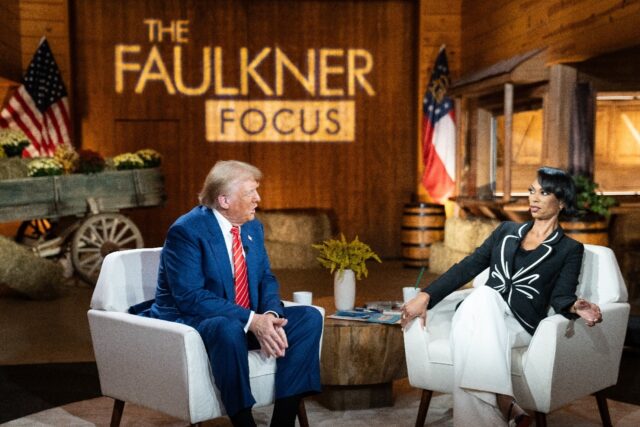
{"x": 567, "y": 360}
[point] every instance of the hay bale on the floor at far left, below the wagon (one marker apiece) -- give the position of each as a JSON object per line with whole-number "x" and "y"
{"x": 29, "y": 275}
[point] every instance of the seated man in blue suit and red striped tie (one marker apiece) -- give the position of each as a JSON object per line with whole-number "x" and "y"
{"x": 204, "y": 279}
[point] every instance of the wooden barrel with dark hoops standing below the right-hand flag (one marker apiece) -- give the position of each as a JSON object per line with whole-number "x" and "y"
{"x": 422, "y": 224}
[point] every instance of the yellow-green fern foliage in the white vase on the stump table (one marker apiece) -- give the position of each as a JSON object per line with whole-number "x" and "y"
{"x": 342, "y": 255}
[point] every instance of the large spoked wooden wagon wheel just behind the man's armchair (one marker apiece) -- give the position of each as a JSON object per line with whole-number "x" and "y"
{"x": 97, "y": 237}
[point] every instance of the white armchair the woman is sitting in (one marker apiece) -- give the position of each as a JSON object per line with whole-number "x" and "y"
{"x": 565, "y": 360}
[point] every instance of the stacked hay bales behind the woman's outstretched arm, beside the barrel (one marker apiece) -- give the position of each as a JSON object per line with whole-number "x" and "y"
{"x": 461, "y": 237}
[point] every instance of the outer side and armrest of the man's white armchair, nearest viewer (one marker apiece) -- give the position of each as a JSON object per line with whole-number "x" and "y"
{"x": 153, "y": 363}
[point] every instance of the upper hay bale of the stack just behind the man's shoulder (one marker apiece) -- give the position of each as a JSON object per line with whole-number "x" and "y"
{"x": 295, "y": 226}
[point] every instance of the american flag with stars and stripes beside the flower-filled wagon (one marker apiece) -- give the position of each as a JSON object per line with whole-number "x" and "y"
{"x": 39, "y": 107}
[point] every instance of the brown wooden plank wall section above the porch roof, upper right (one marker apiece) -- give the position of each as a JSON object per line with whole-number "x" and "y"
{"x": 571, "y": 31}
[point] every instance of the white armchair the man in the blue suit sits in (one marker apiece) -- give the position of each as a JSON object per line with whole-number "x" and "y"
{"x": 154, "y": 363}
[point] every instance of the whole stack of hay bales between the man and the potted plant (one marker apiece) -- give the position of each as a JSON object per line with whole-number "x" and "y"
{"x": 289, "y": 234}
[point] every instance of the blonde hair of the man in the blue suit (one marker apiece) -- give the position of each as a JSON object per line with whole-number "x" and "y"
{"x": 222, "y": 177}
